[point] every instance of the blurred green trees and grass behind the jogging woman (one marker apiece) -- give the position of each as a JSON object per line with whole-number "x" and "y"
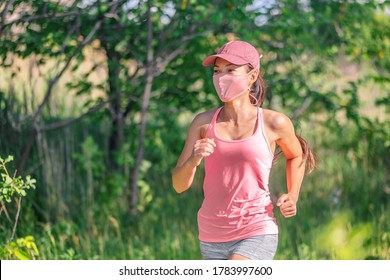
{"x": 96, "y": 98}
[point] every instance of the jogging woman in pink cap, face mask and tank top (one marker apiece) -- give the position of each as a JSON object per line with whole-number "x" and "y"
{"x": 237, "y": 143}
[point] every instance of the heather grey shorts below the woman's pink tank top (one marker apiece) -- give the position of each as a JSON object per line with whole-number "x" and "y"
{"x": 261, "y": 247}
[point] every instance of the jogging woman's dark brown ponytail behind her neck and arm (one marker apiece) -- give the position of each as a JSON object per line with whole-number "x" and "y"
{"x": 257, "y": 96}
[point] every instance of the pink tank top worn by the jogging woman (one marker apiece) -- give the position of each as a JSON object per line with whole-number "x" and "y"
{"x": 237, "y": 201}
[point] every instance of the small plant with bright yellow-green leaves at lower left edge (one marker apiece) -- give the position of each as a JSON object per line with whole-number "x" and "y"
{"x": 13, "y": 188}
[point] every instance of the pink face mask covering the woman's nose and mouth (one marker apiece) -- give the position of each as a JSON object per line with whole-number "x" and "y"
{"x": 229, "y": 86}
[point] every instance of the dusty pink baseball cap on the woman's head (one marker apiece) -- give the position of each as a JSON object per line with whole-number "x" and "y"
{"x": 236, "y": 52}
